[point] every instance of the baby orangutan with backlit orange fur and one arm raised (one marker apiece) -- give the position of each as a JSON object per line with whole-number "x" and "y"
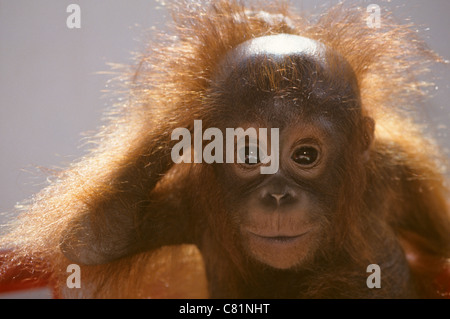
{"x": 352, "y": 180}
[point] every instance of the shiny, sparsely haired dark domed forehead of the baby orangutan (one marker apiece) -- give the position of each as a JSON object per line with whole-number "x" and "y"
{"x": 289, "y": 67}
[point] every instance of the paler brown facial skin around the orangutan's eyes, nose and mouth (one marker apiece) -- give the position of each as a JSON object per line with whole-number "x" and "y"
{"x": 283, "y": 217}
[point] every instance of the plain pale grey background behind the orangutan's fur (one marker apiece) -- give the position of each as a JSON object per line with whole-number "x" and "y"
{"x": 51, "y": 92}
